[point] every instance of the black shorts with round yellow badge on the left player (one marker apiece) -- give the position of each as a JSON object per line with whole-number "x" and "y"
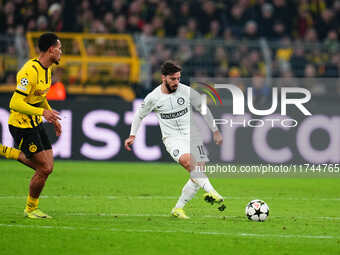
{"x": 30, "y": 140}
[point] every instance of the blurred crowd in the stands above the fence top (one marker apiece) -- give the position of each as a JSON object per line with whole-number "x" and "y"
{"x": 307, "y": 20}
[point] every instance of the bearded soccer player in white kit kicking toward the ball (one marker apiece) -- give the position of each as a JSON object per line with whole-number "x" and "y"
{"x": 172, "y": 102}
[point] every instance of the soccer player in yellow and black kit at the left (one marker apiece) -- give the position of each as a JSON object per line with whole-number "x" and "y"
{"x": 28, "y": 104}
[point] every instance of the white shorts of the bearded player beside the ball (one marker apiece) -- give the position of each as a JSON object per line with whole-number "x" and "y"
{"x": 177, "y": 146}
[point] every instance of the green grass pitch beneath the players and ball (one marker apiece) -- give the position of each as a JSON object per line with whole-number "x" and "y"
{"x": 124, "y": 208}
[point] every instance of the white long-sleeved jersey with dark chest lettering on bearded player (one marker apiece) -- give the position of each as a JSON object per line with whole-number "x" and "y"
{"x": 174, "y": 112}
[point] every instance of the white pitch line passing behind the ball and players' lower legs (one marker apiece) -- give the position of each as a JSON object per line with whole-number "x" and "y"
{"x": 165, "y": 198}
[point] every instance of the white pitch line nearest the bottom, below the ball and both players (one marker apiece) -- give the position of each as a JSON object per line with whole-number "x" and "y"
{"x": 173, "y": 231}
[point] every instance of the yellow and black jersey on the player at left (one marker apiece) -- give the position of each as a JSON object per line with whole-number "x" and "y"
{"x": 29, "y": 99}
